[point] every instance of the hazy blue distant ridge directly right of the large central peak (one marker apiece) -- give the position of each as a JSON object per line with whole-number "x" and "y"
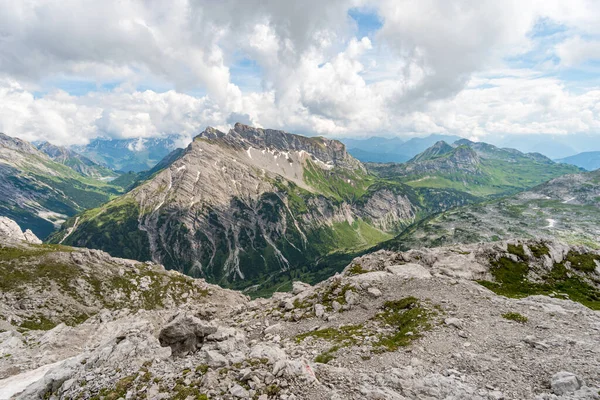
{"x": 376, "y": 149}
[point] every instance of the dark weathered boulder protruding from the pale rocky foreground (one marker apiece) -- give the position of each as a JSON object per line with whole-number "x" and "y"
{"x": 185, "y": 334}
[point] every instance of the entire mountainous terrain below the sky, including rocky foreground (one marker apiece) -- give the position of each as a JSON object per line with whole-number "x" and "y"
{"x": 464, "y": 246}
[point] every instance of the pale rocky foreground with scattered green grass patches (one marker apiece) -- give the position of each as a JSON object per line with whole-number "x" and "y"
{"x": 424, "y": 324}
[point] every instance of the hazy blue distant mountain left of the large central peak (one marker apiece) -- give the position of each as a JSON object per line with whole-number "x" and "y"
{"x": 128, "y": 155}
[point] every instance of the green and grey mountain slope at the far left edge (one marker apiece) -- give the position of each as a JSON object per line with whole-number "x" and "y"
{"x": 40, "y": 193}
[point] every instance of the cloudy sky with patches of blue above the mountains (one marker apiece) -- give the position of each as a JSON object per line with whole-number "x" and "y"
{"x": 72, "y": 70}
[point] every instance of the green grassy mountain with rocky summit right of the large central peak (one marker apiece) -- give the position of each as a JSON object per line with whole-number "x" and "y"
{"x": 476, "y": 168}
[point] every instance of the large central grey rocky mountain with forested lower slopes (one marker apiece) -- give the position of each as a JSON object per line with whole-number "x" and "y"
{"x": 243, "y": 206}
